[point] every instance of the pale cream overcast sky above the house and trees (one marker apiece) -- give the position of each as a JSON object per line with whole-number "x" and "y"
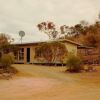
{"x": 16, "y": 15}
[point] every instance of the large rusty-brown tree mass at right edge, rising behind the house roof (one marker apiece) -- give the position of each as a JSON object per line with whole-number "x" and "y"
{"x": 91, "y": 36}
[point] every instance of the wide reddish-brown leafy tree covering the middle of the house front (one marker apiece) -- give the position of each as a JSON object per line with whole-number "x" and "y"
{"x": 53, "y": 52}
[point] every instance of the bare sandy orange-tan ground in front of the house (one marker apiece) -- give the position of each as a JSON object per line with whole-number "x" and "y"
{"x": 50, "y": 83}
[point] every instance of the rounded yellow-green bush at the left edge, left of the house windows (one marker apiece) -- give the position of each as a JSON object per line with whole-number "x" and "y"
{"x": 7, "y": 60}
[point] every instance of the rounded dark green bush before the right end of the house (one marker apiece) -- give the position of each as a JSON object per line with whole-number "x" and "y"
{"x": 74, "y": 63}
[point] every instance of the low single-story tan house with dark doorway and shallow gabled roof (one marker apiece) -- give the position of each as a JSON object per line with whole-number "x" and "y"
{"x": 26, "y": 53}
